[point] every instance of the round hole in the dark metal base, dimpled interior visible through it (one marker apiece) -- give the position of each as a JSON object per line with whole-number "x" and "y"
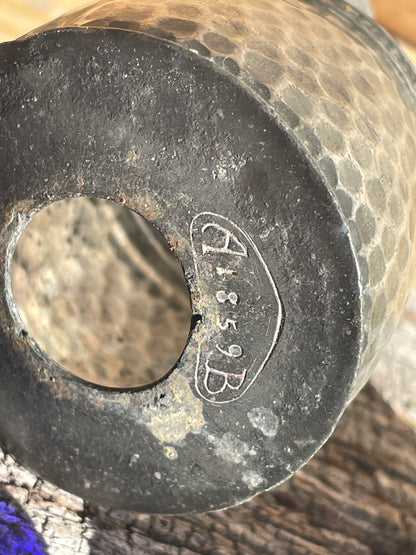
{"x": 99, "y": 290}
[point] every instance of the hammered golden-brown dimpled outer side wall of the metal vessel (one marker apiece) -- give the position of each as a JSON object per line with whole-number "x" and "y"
{"x": 346, "y": 94}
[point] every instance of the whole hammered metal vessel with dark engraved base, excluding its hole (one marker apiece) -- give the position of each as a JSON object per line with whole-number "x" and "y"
{"x": 275, "y": 141}
